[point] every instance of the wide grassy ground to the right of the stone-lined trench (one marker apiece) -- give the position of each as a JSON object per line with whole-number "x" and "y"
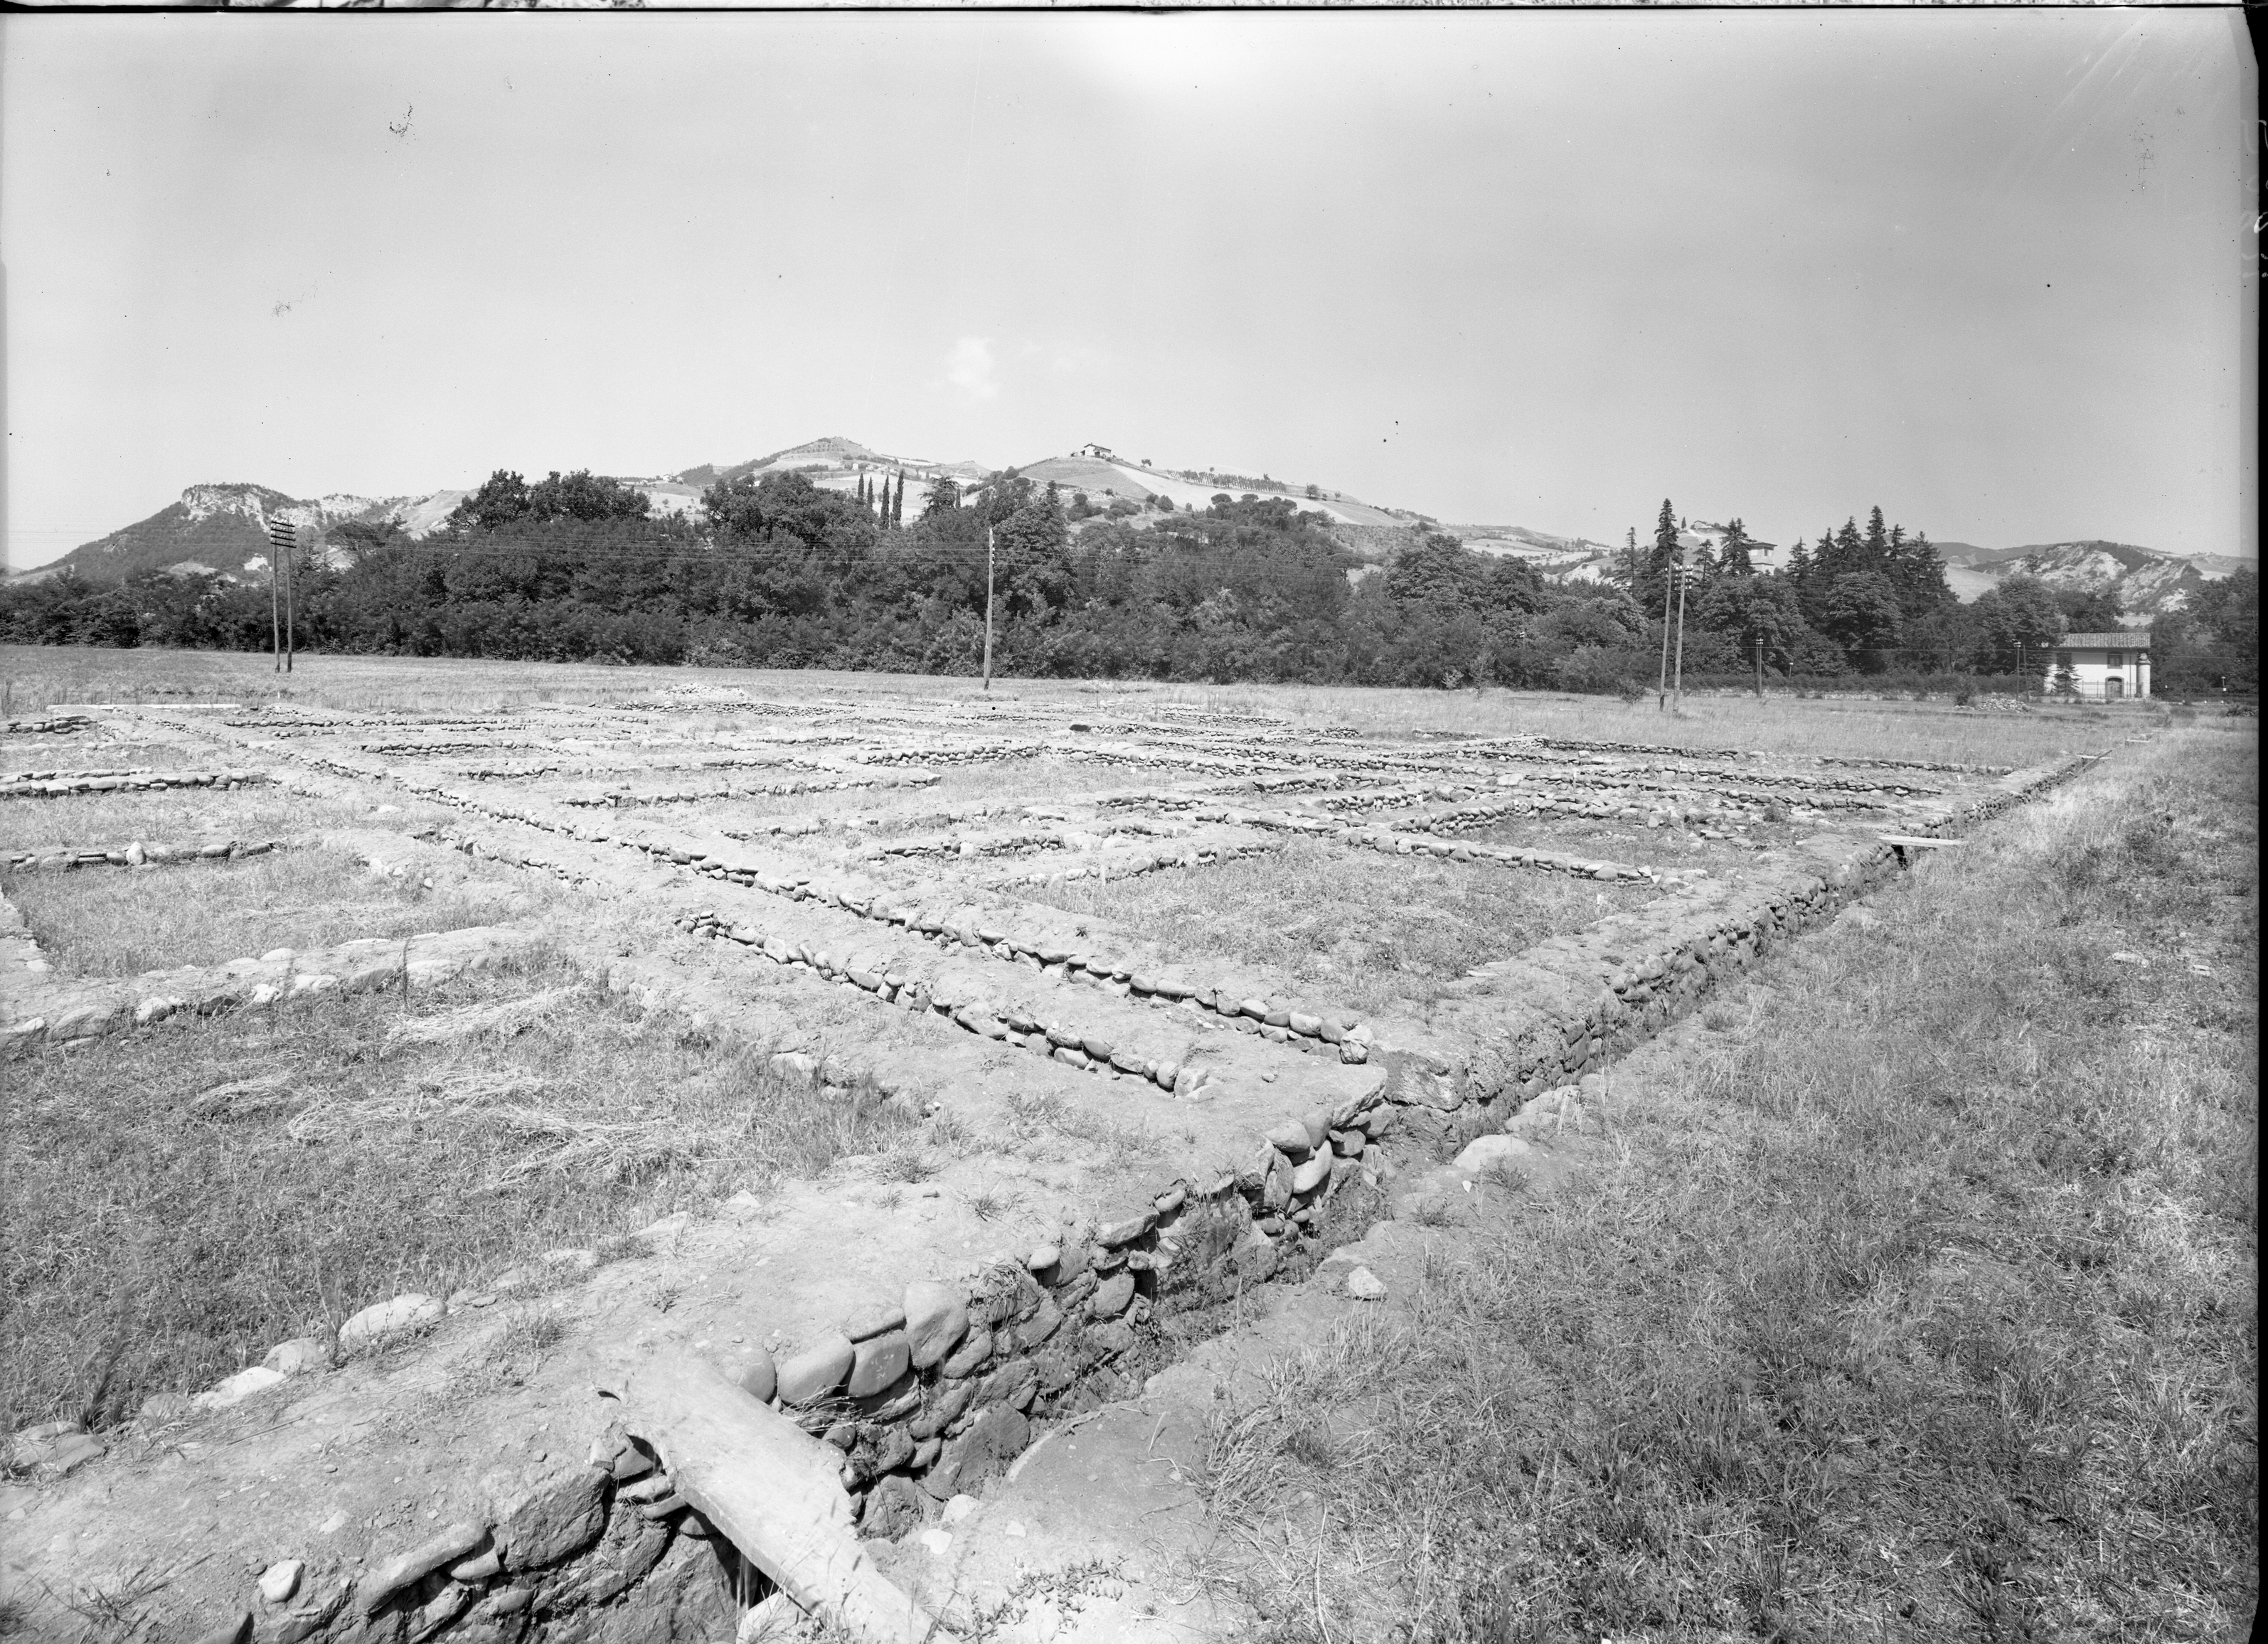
{"x": 1920, "y": 1303}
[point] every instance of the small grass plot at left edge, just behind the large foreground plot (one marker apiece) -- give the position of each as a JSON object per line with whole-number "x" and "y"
{"x": 110, "y": 922}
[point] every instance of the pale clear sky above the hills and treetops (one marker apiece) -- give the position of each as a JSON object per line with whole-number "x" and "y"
{"x": 1988, "y": 271}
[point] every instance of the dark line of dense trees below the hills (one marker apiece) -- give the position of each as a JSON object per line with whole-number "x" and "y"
{"x": 779, "y": 573}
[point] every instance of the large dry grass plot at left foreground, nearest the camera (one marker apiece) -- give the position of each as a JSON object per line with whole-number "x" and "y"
{"x": 160, "y": 1242}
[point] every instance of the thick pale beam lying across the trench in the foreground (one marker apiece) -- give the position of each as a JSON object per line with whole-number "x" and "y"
{"x": 775, "y": 1491}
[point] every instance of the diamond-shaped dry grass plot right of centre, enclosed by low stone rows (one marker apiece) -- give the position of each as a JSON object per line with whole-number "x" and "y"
{"x": 1362, "y": 929}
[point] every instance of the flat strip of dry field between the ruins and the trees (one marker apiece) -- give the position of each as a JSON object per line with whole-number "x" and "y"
{"x": 1904, "y": 731}
